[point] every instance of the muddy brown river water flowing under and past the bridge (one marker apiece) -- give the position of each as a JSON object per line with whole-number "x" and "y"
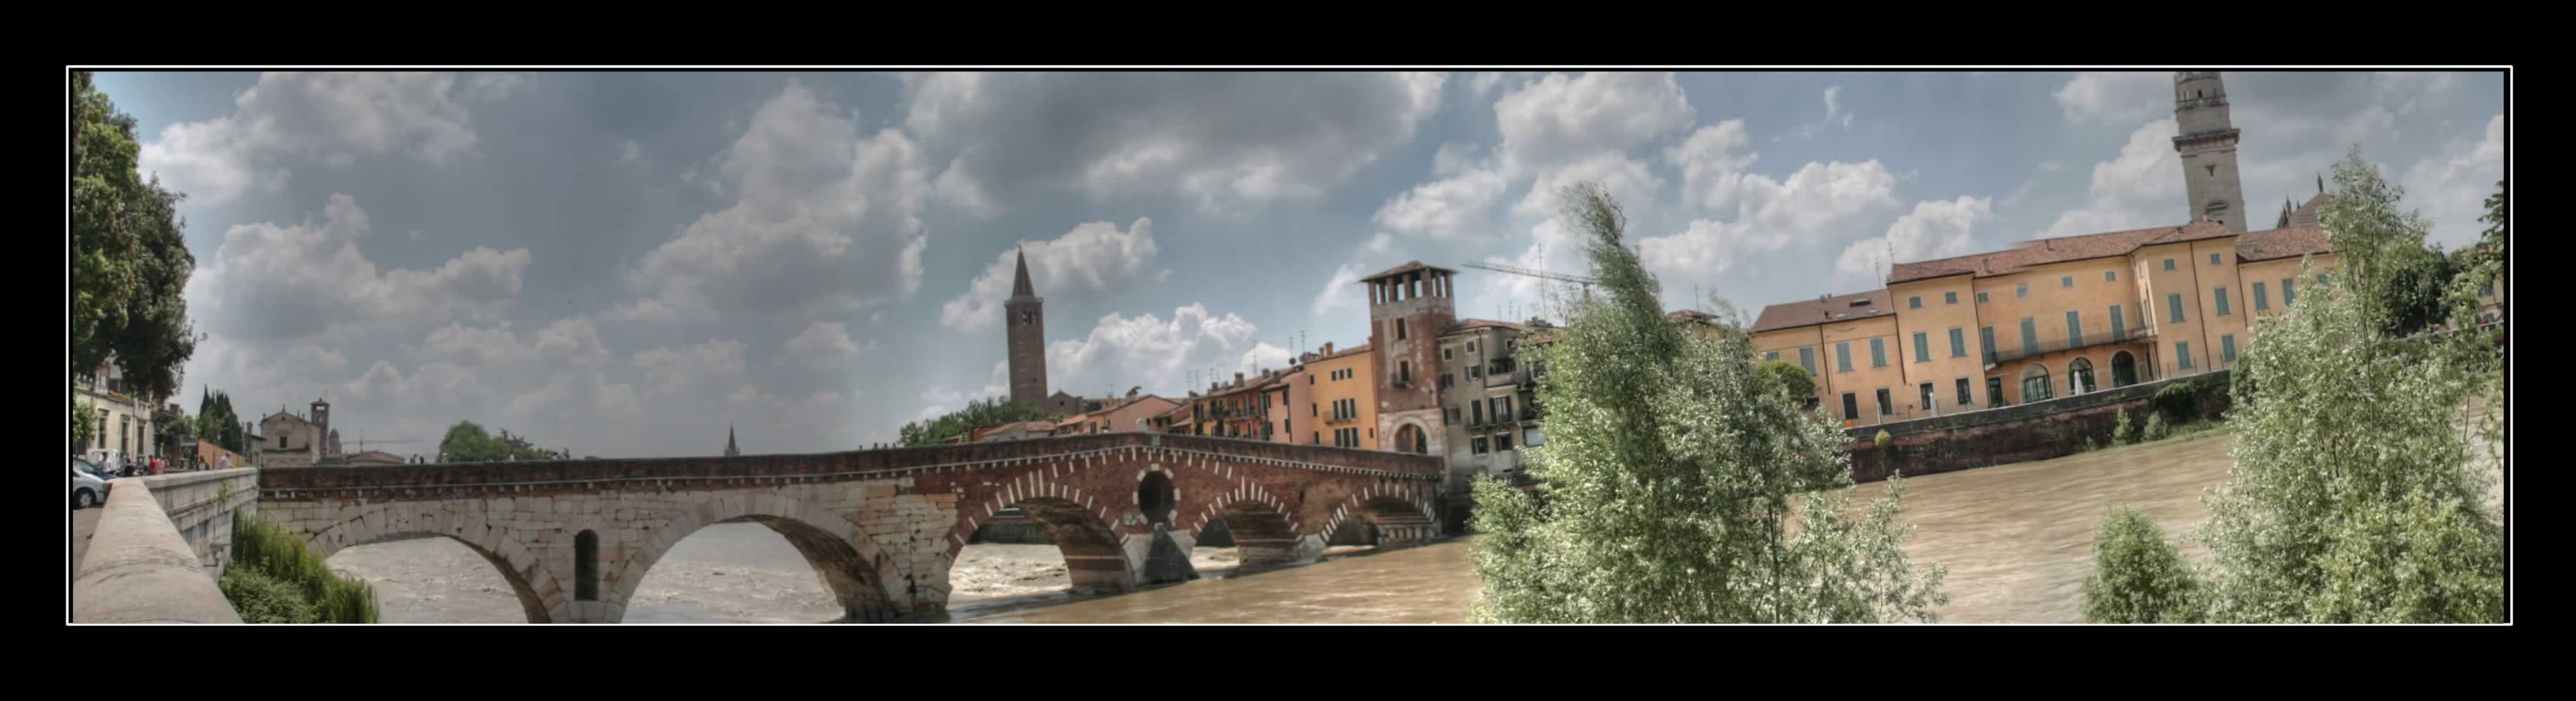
{"x": 2016, "y": 540}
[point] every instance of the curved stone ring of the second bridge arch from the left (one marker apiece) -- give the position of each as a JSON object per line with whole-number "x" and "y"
{"x": 838, "y": 550}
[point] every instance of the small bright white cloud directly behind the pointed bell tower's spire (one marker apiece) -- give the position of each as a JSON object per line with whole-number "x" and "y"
{"x": 1091, "y": 262}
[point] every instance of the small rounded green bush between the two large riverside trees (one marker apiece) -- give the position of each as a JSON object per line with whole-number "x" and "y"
{"x": 2139, "y": 579}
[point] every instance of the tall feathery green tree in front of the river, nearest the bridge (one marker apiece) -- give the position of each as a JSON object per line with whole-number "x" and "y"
{"x": 1678, "y": 483}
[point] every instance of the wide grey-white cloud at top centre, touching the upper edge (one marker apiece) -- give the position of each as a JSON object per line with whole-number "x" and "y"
{"x": 1217, "y": 138}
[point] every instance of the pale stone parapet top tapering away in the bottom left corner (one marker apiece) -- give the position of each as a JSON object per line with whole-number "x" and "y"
{"x": 143, "y": 571}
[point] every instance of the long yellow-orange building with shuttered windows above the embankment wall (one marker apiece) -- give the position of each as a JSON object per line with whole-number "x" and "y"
{"x": 2041, "y": 321}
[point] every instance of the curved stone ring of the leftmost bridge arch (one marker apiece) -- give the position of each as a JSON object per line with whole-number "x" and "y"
{"x": 403, "y": 522}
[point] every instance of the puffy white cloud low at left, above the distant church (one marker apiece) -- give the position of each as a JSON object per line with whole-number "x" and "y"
{"x": 277, "y": 282}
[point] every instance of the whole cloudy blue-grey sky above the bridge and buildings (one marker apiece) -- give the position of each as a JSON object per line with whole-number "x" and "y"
{"x": 627, "y": 264}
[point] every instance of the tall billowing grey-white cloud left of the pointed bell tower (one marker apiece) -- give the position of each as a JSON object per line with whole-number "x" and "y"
{"x": 828, "y": 220}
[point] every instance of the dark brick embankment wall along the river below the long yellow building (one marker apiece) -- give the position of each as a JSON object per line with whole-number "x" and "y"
{"x": 2018, "y": 434}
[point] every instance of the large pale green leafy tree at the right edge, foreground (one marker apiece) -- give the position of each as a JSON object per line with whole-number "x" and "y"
{"x": 2369, "y": 512}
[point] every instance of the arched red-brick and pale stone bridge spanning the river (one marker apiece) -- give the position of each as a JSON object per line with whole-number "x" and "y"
{"x": 880, "y": 527}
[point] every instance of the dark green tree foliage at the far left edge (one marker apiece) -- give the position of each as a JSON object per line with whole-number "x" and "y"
{"x": 130, "y": 262}
